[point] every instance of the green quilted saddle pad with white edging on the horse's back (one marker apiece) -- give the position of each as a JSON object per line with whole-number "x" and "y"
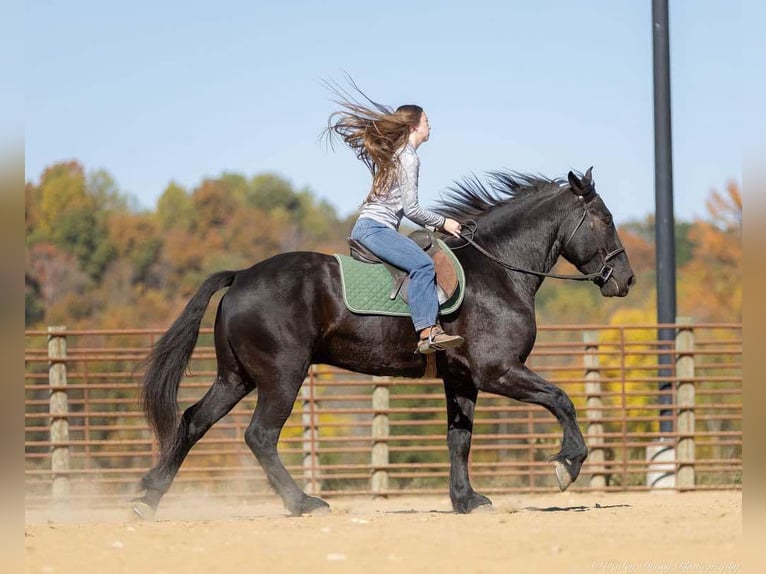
{"x": 367, "y": 286}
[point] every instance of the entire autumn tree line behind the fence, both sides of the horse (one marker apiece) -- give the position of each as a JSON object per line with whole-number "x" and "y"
{"x": 93, "y": 260}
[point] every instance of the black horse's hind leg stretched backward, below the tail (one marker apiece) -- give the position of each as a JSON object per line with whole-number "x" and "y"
{"x": 227, "y": 390}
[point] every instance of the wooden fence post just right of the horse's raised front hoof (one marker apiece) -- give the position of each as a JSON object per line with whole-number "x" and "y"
{"x": 594, "y": 434}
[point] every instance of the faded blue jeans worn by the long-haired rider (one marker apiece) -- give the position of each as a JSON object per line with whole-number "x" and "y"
{"x": 402, "y": 252}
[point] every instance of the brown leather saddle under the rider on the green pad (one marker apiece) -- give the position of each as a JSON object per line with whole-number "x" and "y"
{"x": 446, "y": 274}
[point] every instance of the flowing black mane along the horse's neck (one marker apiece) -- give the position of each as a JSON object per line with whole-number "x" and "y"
{"x": 471, "y": 197}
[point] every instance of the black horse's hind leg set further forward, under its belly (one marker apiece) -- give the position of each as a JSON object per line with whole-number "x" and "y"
{"x": 276, "y": 398}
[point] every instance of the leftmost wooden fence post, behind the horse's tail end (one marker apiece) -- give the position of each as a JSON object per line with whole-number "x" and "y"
{"x": 59, "y": 410}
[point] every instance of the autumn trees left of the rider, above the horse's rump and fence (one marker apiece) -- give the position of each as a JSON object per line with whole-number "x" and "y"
{"x": 95, "y": 261}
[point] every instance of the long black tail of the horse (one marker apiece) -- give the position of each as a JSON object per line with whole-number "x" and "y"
{"x": 169, "y": 357}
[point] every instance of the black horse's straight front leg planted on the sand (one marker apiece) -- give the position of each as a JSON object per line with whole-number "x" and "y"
{"x": 461, "y": 404}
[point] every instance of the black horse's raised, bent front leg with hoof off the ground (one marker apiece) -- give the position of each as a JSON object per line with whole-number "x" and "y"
{"x": 522, "y": 384}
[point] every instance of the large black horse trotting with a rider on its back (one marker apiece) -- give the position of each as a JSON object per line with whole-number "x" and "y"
{"x": 287, "y": 312}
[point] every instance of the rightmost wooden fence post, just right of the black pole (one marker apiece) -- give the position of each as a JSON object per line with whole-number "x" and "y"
{"x": 685, "y": 393}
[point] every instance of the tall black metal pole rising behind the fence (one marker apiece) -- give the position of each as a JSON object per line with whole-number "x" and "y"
{"x": 664, "y": 218}
